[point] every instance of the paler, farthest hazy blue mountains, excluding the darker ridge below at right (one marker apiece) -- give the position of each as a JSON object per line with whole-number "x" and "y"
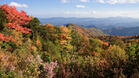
{"x": 102, "y": 23}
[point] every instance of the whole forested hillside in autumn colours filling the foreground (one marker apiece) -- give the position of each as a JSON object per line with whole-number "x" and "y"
{"x": 31, "y": 50}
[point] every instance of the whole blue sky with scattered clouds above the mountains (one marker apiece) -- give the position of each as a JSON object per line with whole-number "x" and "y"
{"x": 77, "y": 8}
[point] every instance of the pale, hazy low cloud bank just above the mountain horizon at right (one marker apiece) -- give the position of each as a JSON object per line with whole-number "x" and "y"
{"x": 102, "y": 14}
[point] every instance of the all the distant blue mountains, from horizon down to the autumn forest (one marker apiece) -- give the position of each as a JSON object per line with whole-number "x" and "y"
{"x": 117, "y": 26}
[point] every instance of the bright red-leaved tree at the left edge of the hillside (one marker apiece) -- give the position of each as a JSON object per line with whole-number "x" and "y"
{"x": 16, "y": 19}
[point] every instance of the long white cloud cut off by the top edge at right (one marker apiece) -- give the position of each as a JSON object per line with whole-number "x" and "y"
{"x": 118, "y": 1}
